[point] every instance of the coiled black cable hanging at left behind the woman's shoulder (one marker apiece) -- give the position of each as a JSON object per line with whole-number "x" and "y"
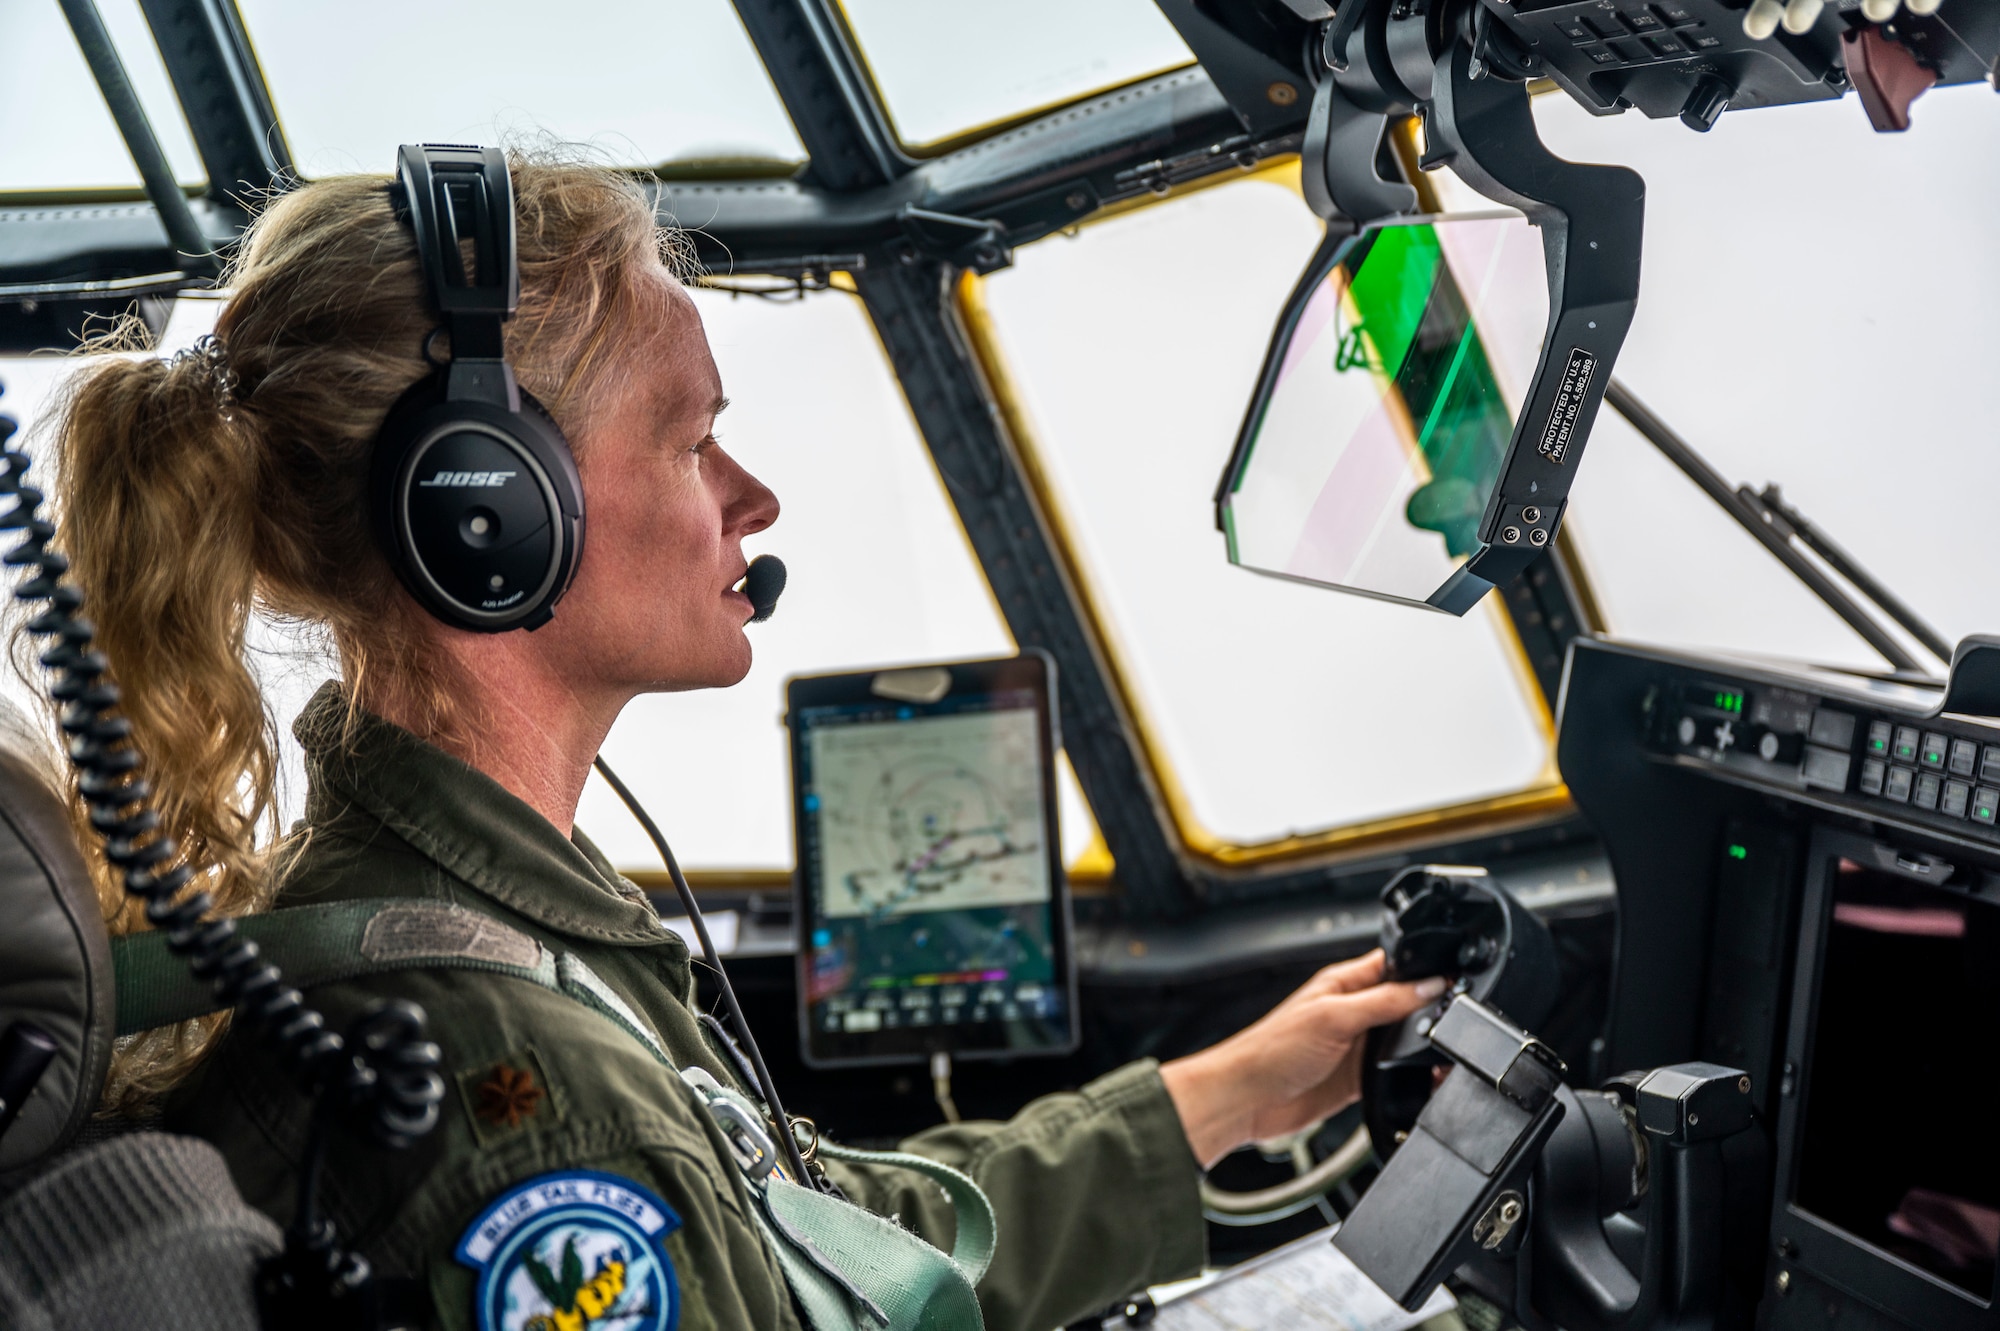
{"x": 383, "y": 1078}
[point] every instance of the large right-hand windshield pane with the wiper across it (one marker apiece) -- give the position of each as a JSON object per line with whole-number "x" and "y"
{"x": 1801, "y": 327}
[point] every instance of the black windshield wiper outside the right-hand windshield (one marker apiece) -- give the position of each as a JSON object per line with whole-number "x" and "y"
{"x": 1777, "y": 525}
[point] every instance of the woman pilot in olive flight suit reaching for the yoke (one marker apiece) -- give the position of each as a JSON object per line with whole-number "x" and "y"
{"x": 445, "y": 766}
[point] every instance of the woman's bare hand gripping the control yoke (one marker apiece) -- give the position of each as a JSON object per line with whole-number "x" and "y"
{"x": 1295, "y": 1066}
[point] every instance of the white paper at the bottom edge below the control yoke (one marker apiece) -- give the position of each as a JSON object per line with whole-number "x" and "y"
{"x": 1305, "y": 1286}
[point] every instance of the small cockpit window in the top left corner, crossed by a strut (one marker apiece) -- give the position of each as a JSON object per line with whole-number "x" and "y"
{"x": 41, "y": 69}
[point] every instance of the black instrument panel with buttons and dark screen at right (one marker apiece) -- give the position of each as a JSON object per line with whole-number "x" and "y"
{"x": 1809, "y": 874}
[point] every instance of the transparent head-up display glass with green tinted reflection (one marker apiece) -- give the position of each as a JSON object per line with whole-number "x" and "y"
{"x": 1385, "y": 413}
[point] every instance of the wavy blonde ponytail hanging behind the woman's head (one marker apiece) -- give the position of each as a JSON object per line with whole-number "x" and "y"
{"x": 157, "y": 509}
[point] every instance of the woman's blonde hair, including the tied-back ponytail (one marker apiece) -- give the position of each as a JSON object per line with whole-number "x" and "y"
{"x": 191, "y": 497}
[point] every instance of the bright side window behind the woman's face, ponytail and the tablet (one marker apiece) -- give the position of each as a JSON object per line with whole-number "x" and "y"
{"x": 879, "y": 573}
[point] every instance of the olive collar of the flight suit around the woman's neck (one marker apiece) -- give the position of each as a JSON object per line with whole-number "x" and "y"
{"x": 467, "y": 824}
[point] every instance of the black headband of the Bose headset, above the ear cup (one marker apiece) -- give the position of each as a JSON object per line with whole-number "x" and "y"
{"x": 457, "y": 193}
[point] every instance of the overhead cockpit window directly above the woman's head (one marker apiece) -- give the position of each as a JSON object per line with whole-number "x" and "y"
{"x": 643, "y": 83}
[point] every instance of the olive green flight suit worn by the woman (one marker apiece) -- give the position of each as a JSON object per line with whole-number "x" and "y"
{"x": 1097, "y": 1194}
